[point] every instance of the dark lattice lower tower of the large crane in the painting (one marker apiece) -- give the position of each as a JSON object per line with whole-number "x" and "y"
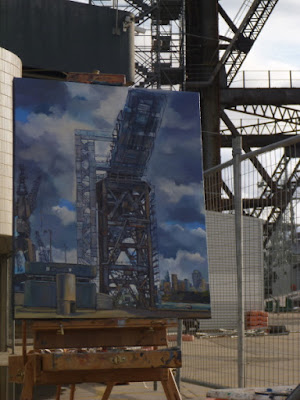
{"x": 127, "y": 266}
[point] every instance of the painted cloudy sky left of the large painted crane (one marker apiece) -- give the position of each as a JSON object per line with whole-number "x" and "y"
{"x": 46, "y": 116}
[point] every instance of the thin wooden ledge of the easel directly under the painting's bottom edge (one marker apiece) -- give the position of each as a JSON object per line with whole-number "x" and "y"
{"x": 105, "y": 323}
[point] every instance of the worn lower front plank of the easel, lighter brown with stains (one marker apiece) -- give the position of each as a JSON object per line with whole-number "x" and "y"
{"x": 166, "y": 358}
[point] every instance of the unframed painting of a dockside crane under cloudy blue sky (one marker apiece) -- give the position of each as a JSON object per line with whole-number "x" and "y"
{"x": 109, "y": 214}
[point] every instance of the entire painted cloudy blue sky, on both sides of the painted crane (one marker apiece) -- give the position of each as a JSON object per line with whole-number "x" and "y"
{"x": 46, "y": 116}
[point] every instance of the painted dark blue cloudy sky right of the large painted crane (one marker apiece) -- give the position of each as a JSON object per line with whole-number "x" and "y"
{"x": 175, "y": 171}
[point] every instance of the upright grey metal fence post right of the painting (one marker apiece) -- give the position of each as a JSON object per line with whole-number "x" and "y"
{"x": 237, "y": 151}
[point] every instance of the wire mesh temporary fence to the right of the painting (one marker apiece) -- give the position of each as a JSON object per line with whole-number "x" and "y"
{"x": 253, "y": 233}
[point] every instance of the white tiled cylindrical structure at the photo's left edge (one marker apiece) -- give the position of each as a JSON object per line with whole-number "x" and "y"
{"x": 10, "y": 67}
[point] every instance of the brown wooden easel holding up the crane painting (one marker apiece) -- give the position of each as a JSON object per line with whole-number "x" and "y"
{"x": 60, "y": 355}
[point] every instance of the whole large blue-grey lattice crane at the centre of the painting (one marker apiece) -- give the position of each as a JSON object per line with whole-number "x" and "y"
{"x": 128, "y": 256}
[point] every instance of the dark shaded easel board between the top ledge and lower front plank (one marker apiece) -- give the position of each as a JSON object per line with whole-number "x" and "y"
{"x": 97, "y": 338}
